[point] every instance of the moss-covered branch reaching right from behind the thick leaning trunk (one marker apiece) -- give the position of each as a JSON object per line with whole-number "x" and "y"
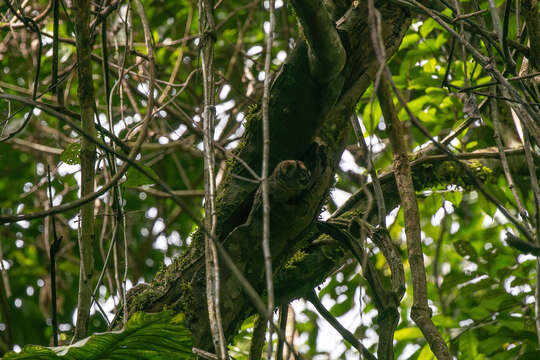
{"x": 322, "y": 256}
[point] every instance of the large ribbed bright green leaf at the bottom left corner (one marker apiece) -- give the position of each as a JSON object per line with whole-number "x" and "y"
{"x": 147, "y": 336}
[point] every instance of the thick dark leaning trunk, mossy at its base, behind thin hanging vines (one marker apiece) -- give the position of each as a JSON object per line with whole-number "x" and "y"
{"x": 299, "y": 104}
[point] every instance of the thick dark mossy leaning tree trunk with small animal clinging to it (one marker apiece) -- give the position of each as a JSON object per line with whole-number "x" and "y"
{"x": 309, "y": 121}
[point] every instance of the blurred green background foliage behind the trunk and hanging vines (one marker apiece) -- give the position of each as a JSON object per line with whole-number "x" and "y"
{"x": 481, "y": 290}
